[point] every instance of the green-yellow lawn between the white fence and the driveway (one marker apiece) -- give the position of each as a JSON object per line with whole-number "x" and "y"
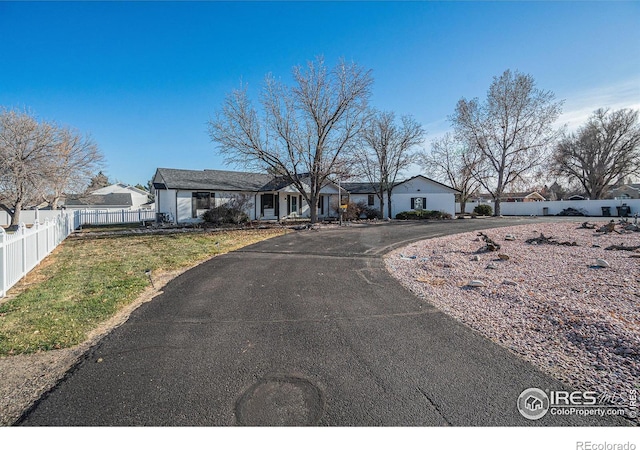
{"x": 86, "y": 281}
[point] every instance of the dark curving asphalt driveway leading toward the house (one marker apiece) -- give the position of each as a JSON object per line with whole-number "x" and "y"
{"x": 305, "y": 329}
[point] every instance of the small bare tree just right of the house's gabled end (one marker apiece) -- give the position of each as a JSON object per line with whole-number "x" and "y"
{"x": 452, "y": 162}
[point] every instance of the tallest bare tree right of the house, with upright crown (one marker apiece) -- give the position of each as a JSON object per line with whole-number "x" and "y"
{"x": 512, "y": 130}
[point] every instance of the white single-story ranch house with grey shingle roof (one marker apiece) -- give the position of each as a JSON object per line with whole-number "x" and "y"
{"x": 182, "y": 196}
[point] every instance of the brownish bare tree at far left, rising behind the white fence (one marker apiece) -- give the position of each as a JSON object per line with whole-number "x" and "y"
{"x": 39, "y": 159}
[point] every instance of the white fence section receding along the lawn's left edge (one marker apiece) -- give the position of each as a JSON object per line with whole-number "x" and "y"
{"x": 23, "y": 250}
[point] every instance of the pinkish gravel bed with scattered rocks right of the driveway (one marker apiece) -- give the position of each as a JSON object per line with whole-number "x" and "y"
{"x": 546, "y": 303}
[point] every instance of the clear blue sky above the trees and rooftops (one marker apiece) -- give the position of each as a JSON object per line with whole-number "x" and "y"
{"x": 144, "y": 77}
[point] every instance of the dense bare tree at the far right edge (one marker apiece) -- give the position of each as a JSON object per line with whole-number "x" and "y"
{"x": 603, "y": 151}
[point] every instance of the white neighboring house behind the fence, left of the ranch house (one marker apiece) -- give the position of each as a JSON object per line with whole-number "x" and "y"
{"x": 116, "y": 196}
